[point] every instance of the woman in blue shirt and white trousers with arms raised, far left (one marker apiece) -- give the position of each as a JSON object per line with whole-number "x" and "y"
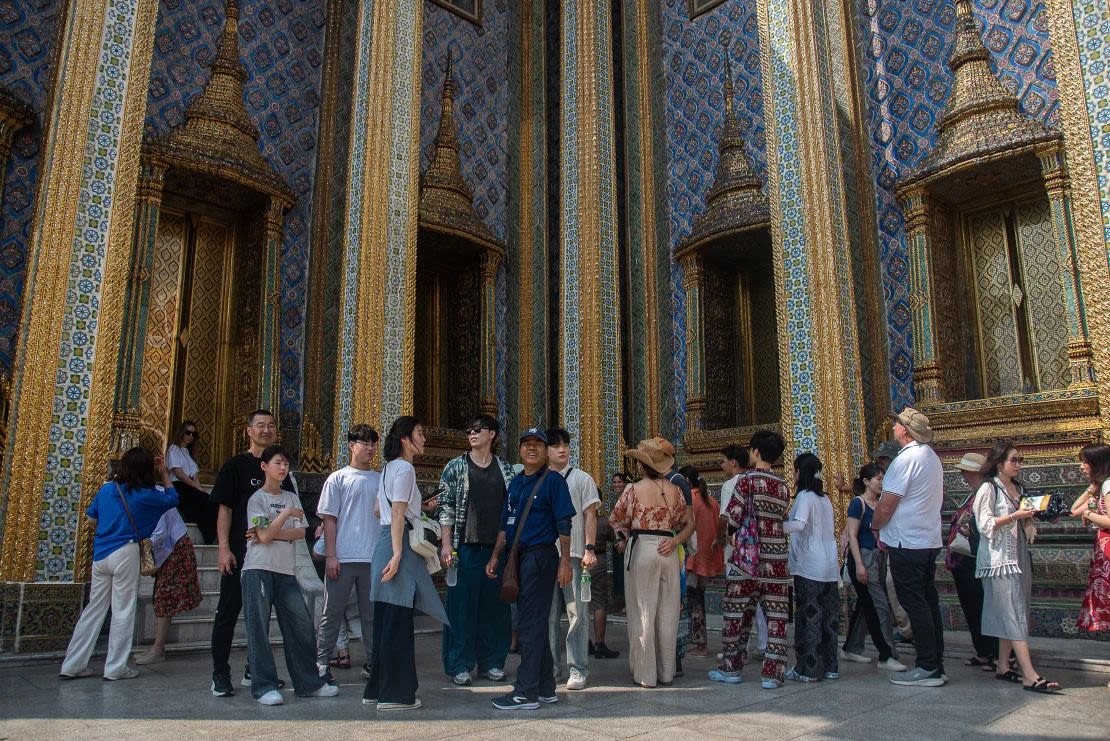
{"x": 125, "y": 511}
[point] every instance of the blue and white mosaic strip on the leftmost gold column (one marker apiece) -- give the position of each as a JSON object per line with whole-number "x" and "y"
{"x": 78, "y": 348}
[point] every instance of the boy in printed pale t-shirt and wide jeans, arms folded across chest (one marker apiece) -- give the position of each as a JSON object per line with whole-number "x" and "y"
{"x": 276, "y": 522}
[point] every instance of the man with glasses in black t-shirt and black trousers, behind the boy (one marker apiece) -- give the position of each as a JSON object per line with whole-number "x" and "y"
{"x": 237, "y": 482}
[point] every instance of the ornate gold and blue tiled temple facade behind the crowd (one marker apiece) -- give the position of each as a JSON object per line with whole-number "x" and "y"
{"x": 689, "y": 218}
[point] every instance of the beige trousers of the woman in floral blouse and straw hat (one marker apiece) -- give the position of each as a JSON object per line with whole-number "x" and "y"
{"x": 653, "y": 604}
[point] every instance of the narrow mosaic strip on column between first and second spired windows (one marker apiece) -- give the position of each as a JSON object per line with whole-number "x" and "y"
{"x": 356, "y": 207}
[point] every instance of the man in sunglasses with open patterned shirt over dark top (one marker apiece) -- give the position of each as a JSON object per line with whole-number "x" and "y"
{"x": 472, "y": 494}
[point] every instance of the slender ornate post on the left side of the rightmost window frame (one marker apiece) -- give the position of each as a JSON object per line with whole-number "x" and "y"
{"x": 929, "y": 380}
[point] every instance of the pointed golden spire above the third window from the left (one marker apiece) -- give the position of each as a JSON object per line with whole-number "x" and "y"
{"x": 736, "y": 201}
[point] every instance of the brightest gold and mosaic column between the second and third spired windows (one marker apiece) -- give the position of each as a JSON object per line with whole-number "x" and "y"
{"x": 590, "y": 338}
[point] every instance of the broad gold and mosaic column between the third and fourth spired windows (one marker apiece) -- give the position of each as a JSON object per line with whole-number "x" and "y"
{"x": 804, "y": 48}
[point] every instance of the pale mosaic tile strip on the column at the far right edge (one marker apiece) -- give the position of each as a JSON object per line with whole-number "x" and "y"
{"x": 1093, "y": 35}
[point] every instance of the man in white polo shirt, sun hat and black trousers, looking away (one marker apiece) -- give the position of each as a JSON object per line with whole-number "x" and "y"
{"x": 909, "y": 525}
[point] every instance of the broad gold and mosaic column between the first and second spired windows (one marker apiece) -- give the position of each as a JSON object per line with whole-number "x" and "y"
{"x": 375, "y": 381}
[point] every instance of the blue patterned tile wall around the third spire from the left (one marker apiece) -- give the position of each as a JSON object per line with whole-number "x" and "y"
{"x": 694, "y": 67}
